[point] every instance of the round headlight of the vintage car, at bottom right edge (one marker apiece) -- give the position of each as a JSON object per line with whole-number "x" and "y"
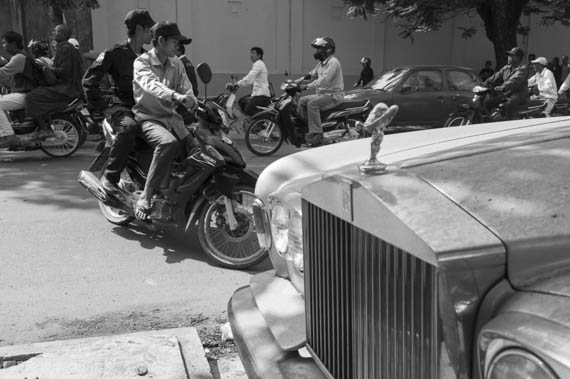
{"x": 518, "y": 364}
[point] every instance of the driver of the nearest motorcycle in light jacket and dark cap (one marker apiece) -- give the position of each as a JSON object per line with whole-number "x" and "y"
{"x": 160, "y": 85}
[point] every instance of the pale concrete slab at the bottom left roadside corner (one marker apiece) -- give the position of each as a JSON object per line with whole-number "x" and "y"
{"x": 157, "y": 354}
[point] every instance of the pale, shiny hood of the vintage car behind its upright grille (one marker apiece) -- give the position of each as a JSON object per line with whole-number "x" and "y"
{"x": 500, "y": 174}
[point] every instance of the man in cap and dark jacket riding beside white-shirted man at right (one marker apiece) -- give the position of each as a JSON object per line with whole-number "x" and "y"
{"x": 510, "y": 83}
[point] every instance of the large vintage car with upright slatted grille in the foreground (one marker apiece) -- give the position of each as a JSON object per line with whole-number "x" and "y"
{"x": 454, "y": 262}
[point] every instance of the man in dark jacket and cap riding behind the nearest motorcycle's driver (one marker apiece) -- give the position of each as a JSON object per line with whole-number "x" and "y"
{"x": 118, "y": 62}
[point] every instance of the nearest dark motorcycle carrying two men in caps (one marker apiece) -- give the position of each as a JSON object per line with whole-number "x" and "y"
{"x": 212, "y": 188}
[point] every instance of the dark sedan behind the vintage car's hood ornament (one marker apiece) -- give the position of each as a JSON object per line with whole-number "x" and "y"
{"x": 426, "y": 95}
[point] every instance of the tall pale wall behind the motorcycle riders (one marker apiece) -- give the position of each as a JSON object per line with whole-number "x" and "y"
{"x": 224, "y": 30}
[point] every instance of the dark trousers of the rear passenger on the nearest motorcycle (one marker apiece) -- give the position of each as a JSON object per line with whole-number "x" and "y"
{"x": 123, "y": 122}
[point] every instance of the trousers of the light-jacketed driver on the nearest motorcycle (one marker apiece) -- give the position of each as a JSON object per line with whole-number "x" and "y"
{"x": 166, "y": 147}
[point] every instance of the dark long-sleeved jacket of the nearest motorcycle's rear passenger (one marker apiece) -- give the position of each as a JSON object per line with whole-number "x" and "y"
{"x": 118, "y": 62}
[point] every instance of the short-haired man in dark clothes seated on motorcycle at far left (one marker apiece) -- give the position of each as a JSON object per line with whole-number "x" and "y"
{"x": 67, "y": 66}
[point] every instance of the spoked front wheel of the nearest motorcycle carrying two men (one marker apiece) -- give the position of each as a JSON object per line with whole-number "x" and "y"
{"x": 236, "y": 249}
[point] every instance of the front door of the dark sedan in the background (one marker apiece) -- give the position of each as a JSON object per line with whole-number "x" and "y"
{"x": 421, "y": 98}
